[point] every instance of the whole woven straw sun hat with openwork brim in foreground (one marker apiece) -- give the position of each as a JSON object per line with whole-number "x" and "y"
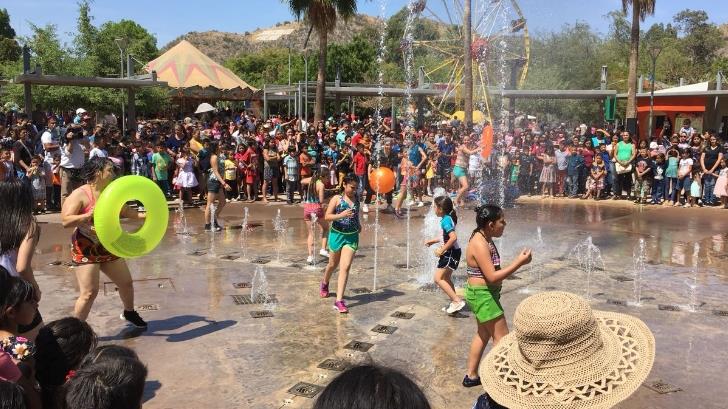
{"x": 563, "y": 355}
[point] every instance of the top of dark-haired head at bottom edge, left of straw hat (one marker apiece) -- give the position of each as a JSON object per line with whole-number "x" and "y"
{"x": 372, "y": 387}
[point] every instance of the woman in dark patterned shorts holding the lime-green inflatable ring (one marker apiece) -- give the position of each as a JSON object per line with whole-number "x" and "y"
{"x": 87, "y": 251}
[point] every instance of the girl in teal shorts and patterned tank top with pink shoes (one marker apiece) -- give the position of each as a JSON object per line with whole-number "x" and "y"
{"x": 343, "y": 213}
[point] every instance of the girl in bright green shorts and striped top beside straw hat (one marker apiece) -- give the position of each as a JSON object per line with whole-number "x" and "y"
{"x": 485, "y": 276}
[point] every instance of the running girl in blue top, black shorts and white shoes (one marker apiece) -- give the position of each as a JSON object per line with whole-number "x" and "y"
{"x": 449, "y": 253}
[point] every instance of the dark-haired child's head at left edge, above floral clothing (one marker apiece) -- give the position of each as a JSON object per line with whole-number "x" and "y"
{"x": 17, "y": 301}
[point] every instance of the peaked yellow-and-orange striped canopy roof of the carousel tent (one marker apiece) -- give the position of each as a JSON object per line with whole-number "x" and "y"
{"x": 184, "y": 66}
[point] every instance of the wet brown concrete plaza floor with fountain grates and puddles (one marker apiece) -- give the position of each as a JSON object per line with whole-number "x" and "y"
{"x": 205, "y": 350}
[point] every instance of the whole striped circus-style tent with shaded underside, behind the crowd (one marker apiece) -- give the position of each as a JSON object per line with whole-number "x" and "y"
{"x": 192, "y": 74}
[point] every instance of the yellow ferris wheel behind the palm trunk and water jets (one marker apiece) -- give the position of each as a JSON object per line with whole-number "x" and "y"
{"x": 500, "y": 49}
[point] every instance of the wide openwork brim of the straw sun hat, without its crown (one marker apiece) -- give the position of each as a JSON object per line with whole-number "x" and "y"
{"x": 630, "y": 352}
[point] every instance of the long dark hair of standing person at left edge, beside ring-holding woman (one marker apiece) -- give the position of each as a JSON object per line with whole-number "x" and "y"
{"x": 16, "y": 217}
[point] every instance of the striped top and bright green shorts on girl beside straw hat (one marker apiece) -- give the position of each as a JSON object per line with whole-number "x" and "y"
{"x": 484, "y": 300}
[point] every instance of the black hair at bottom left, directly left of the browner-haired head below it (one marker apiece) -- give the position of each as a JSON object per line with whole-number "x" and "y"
{"x": 60, "y": 347}
